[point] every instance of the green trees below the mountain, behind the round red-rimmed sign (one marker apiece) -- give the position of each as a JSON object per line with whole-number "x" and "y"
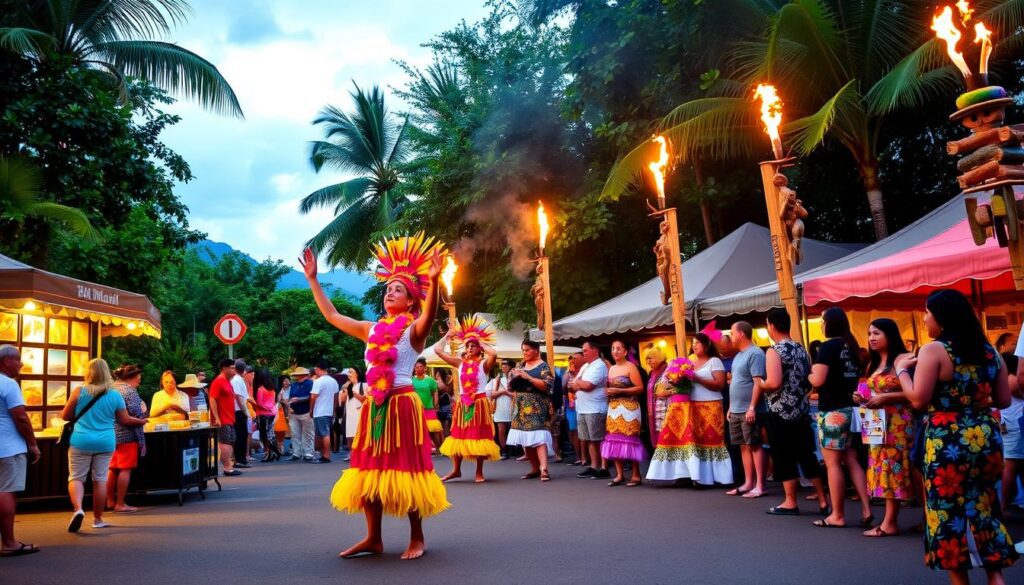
{"x": 285, "y": 326}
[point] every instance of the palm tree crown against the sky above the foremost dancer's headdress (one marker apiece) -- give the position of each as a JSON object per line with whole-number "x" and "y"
{"x": 369, "y": 145}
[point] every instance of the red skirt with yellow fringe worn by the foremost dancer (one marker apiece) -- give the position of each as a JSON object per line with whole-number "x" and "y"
{"x": 395, "y": 471}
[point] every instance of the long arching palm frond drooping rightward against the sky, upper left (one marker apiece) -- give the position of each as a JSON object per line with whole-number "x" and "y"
{"x": 175, "y": 69}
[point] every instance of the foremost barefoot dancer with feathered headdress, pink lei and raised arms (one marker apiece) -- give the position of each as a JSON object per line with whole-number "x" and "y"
{"x": 392, "y": 471}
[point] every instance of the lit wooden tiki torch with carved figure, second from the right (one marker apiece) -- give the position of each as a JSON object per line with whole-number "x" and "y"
{"x": 786, "y": 213}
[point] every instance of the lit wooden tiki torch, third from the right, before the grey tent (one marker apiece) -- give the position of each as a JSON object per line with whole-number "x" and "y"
{"x": 670, "y": 267}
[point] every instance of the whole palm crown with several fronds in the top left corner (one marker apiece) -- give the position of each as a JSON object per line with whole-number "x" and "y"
{"x": 113, "y": 37}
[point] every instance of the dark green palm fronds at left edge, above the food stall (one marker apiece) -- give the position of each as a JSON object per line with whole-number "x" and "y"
{"x": 21, "y": 183}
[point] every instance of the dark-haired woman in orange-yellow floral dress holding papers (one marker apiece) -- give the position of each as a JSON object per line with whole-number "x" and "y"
{"x": 889, "y": 464}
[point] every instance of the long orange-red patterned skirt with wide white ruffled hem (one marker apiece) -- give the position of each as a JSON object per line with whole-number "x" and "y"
{"x": 693, "y": 444}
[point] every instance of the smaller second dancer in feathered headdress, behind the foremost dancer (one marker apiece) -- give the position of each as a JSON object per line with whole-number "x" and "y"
{"x": 473, "y": 428}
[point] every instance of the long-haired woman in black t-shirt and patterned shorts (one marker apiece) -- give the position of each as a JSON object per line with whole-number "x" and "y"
{"x": 835, "y": 375}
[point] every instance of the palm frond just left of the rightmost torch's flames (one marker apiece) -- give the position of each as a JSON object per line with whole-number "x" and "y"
{"x": 917, "y": 78}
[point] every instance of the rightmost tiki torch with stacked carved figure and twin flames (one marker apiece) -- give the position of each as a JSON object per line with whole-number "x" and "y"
{"x": 993, "y": 160}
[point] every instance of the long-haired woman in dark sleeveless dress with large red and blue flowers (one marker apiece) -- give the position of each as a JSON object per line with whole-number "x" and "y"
{"x": 959, "y": 379}
